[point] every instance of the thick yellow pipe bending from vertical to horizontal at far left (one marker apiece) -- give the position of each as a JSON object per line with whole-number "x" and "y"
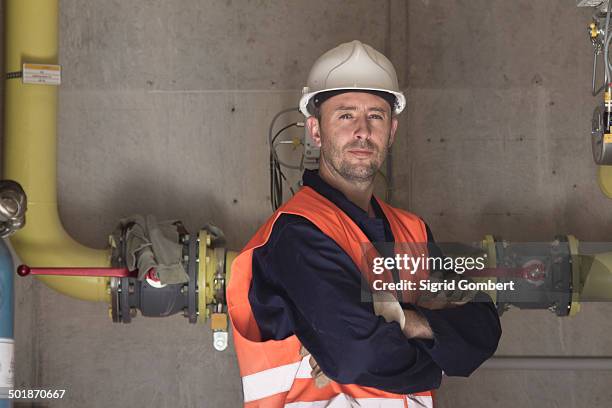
{"x": 30, "y": 150}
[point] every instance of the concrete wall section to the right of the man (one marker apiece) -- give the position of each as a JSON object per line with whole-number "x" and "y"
{"x": 498, "y": 141}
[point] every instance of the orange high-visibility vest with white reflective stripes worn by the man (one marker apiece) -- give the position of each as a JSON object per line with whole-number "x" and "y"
{"x": 273, "y": 372}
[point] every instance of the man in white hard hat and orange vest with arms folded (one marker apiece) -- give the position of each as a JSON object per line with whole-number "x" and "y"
{"x": 297, "y": 285}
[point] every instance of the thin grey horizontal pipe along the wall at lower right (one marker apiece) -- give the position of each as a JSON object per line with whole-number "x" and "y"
{"x": 549, "y": 363}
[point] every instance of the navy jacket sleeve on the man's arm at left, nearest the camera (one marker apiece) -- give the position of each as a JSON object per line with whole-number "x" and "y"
{"x": 304, "y": 281}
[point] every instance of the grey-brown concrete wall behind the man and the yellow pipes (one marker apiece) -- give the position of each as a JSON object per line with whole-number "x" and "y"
{"x": 164, "y": 109}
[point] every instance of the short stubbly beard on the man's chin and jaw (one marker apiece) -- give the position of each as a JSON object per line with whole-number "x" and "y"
{"x": 351, "y": 171}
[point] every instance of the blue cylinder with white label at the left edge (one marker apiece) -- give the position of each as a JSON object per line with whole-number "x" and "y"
{"x": 7, "y": 309}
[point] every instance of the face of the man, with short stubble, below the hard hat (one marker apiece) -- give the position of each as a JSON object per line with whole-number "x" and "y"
{"x": 354, "y": 133}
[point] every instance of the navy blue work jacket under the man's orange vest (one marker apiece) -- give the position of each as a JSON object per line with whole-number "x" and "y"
{"x": 305, "y": 284}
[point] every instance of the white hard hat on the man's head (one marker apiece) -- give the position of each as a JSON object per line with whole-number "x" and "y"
{"x": 349, "y": 66}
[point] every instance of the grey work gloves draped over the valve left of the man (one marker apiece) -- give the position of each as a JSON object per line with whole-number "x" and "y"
{"x": 151, "y": 244}
